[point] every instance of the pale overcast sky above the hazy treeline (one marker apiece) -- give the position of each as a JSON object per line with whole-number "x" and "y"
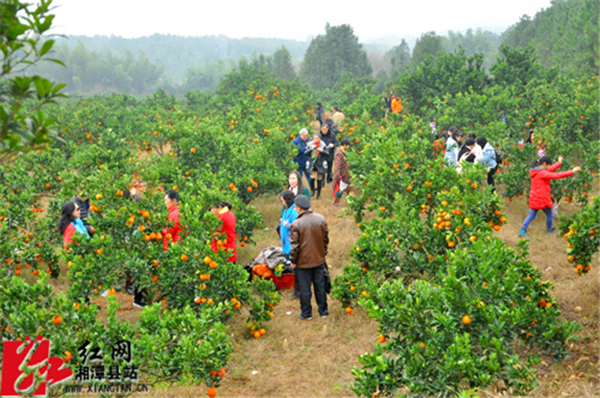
{"x": 299, "y": 20}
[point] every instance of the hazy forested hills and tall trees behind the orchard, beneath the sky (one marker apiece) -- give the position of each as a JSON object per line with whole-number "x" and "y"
{"x": 563, "y": 36}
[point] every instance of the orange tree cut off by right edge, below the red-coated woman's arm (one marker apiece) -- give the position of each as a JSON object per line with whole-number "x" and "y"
{"x": 582, "y": 234}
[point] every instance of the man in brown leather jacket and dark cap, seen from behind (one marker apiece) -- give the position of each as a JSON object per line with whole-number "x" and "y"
{"x": 309, "y": 240}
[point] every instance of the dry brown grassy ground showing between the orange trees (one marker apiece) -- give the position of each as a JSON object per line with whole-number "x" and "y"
{"x": 302, "y": 359}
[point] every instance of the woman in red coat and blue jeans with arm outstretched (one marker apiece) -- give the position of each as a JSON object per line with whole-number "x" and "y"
{"x": 541, "y": 174}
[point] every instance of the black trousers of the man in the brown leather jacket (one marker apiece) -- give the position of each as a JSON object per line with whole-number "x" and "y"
{"x": 305, "y": 277}
